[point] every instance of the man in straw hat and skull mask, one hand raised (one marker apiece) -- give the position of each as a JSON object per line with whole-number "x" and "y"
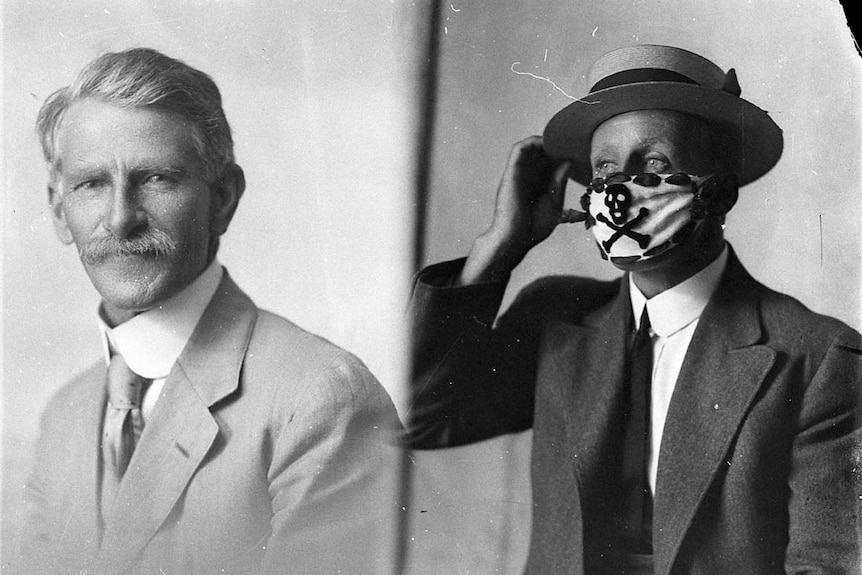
{"x": 686, "y": 418}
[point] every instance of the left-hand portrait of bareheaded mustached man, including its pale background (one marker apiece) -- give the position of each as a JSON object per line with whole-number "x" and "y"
{"x": 205, "y": 277}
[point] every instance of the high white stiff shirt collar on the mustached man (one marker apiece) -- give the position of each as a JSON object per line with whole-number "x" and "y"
{"x": 151, "y": 342}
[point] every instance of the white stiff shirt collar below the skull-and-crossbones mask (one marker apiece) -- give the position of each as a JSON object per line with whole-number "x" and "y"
{"x": 677, "y": 307}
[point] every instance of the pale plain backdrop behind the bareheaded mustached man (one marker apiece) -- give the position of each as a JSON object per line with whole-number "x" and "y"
{"x": 320, "y": 96}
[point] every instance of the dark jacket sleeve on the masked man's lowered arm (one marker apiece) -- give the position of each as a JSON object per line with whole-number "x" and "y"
{"x": 825, "y": 506}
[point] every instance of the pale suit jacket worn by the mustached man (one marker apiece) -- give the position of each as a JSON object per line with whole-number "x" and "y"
{"x": 269, "y": 449}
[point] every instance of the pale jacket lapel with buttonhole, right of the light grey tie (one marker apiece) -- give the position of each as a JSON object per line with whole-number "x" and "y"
{"x": 182, "y": 429}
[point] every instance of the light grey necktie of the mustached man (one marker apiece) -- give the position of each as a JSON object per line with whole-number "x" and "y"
{"x": 123, "y": 426}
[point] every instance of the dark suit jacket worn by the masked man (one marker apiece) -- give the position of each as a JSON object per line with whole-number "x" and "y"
{"x": 759, "y": 467}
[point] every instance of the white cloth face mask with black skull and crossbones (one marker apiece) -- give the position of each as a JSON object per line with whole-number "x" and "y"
{"x": 636, "y": 218}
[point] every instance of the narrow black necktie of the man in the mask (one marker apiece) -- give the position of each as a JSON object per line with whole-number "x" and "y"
{"x": 638, "y": 498}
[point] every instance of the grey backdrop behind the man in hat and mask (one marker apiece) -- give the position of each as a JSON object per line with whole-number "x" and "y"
{"x": 499, "y": 59}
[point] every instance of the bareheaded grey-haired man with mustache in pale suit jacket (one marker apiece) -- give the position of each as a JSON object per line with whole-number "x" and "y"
{"x": 213, "y": 436}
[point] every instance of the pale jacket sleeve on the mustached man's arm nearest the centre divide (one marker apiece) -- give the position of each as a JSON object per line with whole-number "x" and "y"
{"x": 333, "y": 476}
